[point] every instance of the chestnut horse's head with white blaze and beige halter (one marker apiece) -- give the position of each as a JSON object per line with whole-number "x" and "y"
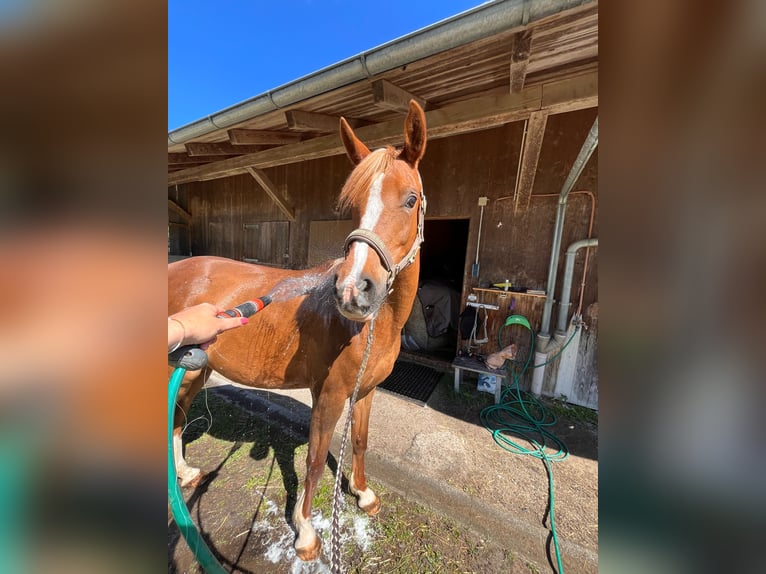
{"x": 385, "y": 195}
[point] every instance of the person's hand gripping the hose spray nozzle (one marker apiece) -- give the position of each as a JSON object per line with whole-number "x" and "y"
{"x": 199, "y": 325}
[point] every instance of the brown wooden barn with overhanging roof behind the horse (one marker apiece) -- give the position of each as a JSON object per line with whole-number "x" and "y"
{"x": 510, "y": 91}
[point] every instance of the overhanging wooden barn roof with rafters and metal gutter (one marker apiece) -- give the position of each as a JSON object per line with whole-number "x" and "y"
{"x": 488, "y": 66}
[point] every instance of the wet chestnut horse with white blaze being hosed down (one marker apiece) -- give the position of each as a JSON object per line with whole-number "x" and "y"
{"x": 316, "y": 339}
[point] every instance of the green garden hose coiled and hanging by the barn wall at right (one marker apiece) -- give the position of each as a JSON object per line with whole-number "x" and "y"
{"x": 521, "y": 414}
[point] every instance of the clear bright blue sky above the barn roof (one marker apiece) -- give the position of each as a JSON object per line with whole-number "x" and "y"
{"x": 222, "y": 52}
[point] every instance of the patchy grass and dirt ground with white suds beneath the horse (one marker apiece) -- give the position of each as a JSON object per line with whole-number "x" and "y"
{"x": 254, "y": 451}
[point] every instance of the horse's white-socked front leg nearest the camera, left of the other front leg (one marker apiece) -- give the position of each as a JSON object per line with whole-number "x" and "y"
{"x": 325, "y": 413}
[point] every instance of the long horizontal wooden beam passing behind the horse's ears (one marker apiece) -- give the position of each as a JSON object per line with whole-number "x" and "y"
{"x": 575, "y": 93}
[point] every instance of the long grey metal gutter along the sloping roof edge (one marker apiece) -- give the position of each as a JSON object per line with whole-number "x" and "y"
{"x": 475, "y": 24}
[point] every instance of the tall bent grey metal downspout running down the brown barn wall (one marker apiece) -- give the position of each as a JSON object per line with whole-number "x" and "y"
{"x": 590, "y": 144}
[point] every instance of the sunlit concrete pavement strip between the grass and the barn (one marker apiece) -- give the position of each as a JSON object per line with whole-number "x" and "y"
{"x": 441, "y": 456}
